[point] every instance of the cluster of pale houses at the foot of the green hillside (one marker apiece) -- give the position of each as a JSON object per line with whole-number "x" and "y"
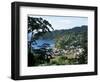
{"x": 71, "y": 51}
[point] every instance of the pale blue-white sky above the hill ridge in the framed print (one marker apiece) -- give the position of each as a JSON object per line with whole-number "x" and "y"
{"x": 64, "y": 22}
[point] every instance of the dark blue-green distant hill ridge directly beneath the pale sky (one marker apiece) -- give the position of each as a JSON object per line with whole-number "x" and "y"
{"x": 62, "y": 32}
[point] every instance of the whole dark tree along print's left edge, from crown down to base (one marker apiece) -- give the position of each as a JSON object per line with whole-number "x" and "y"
{"x": 37, "y": 27}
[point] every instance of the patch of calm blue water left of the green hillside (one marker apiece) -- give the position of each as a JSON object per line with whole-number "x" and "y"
{"x": 41, "y": 42}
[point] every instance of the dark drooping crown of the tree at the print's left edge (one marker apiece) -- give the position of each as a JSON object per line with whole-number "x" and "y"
{"x": 37, "y": 27}
